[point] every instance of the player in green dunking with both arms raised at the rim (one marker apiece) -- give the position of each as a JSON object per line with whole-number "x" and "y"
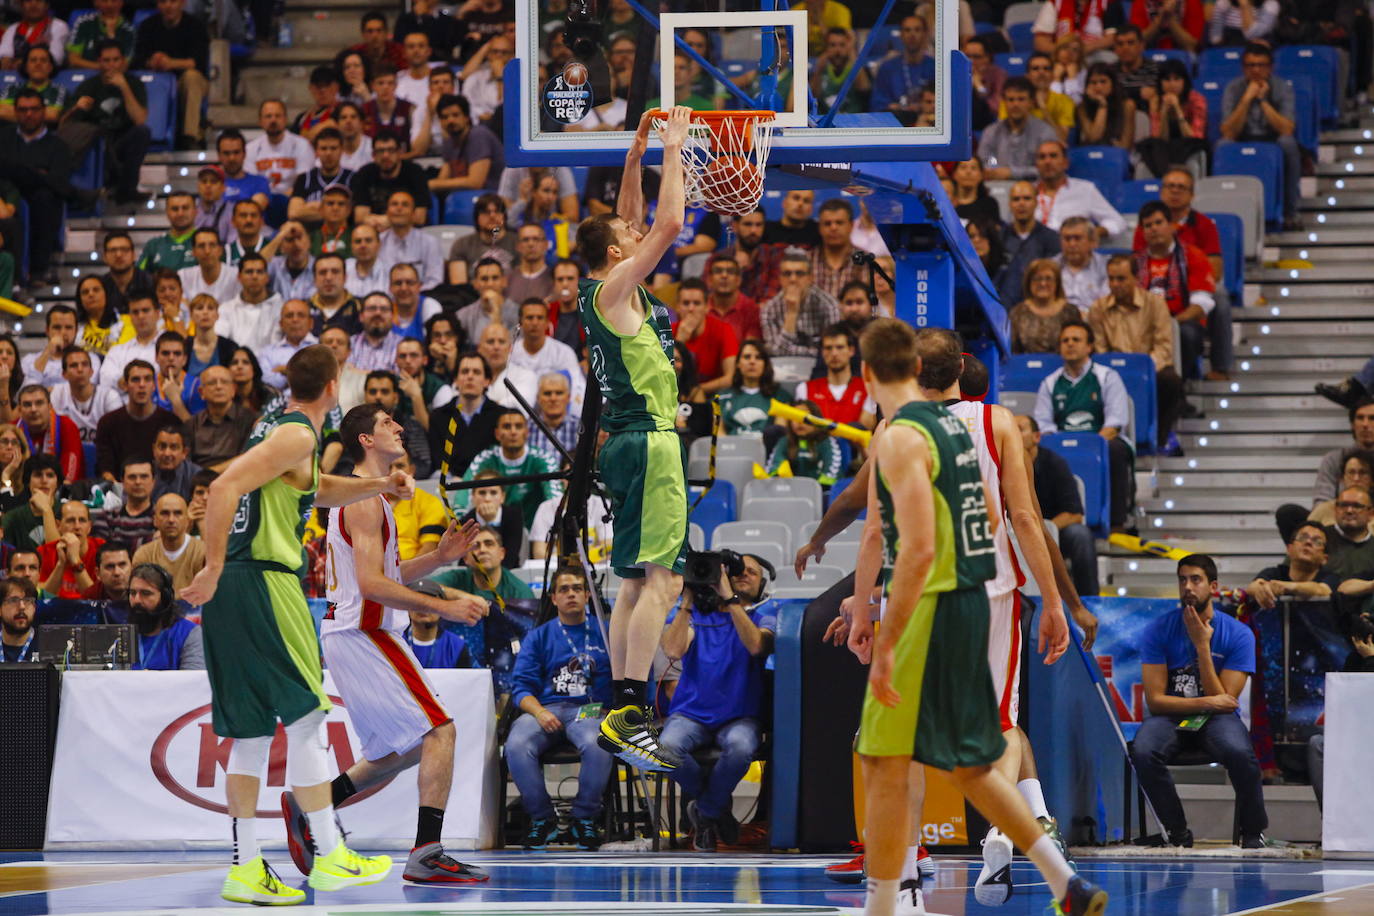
{"x": 642, "y": 463}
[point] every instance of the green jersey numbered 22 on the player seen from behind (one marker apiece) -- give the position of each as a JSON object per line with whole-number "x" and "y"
{"x": 965, "y": 553}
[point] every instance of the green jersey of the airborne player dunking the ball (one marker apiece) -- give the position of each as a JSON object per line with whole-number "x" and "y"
{"x": 635, "y": 373}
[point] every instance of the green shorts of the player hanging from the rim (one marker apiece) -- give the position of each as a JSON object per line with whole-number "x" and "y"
{"x": 646, "y": 477}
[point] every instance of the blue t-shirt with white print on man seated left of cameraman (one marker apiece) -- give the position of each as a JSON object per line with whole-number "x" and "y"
{"x": 560, "y": 664}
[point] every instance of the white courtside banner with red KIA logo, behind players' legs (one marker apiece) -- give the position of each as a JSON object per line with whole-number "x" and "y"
{"x": 139, "y": 766}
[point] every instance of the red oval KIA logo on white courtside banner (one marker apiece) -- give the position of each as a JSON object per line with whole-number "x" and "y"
{"x": 212, "y": 759}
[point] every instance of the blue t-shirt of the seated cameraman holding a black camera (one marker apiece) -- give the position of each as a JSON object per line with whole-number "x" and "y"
{"x": 721, "y": 680}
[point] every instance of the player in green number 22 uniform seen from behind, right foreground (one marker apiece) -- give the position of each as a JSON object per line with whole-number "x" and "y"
{"x": 928, "y": 696}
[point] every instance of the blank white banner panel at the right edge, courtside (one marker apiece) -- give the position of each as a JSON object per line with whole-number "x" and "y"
{"x": 1349, "y": 807}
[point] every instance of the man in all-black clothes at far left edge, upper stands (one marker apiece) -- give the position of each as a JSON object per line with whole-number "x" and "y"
{"x": 39, "y": 165}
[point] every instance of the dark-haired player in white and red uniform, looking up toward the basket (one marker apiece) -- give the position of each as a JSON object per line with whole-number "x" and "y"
{"x": 392, "y": 705}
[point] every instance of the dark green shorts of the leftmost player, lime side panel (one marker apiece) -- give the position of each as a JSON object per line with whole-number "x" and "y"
{"x": 262, "y": 652}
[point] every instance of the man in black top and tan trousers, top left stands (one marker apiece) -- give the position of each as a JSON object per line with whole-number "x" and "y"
{"x": 177, "y": 43}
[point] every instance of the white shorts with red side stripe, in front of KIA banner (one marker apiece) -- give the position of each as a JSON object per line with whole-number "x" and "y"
{"x": 390, "y": 701}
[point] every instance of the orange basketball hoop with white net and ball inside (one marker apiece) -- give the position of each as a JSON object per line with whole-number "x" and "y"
{"x": 725, "y": 159}
